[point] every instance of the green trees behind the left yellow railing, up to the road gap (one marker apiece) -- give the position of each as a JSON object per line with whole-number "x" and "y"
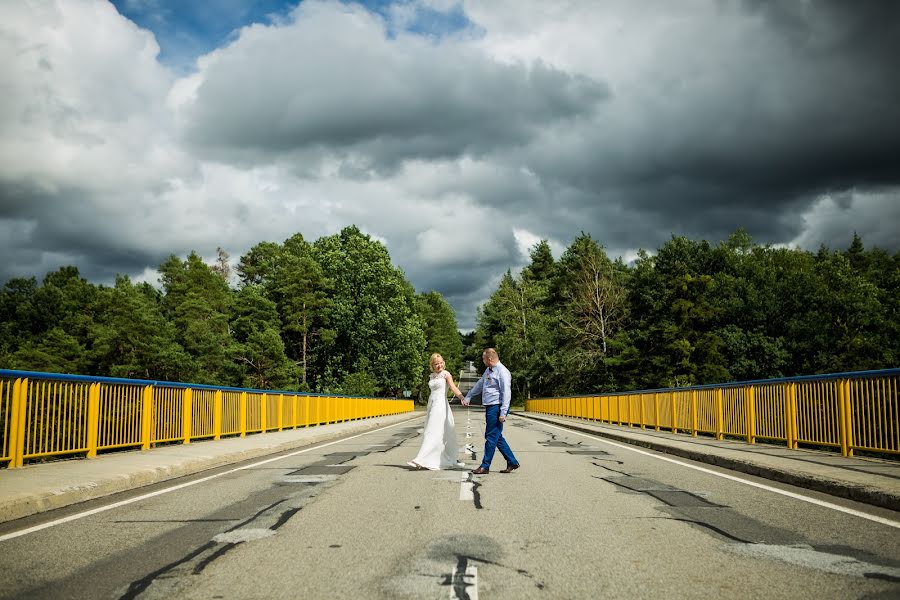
{"x": 332, "y": 316}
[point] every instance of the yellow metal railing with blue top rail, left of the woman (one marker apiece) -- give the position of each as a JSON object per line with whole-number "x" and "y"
{"x": 46, "y": 414}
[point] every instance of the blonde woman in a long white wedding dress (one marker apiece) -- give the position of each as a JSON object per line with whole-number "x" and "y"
{"x": 439, "y": 449}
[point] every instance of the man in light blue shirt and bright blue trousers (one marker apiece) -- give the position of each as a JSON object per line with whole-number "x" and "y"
{"x": 494, "y": 386}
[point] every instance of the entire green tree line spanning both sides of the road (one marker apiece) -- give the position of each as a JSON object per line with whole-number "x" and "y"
{"x": 336, "y": 316}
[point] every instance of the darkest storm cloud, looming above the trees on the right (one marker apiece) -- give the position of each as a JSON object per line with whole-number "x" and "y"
{"x": 750, "y": 138}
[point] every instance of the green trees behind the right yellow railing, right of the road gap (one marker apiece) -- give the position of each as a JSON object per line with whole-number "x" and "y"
{"x": 693, "y": 313}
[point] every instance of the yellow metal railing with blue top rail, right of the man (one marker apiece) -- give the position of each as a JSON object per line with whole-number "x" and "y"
{"x": 850, "y": 411}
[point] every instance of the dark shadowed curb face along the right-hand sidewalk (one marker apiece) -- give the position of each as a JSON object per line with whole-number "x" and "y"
{"x": 843, "y": 489}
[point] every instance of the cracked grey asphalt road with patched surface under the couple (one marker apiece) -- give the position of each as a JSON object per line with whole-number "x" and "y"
{"x": 583, "y": 518}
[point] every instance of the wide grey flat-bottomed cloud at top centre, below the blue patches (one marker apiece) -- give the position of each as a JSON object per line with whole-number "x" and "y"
{"x": 400, "y": 99}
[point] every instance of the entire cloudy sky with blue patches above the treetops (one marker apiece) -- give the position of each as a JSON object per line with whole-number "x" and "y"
{"x": 456, "y": 132}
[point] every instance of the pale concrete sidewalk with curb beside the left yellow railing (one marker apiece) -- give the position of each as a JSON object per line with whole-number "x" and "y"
{"x": 24, "y": 504}
